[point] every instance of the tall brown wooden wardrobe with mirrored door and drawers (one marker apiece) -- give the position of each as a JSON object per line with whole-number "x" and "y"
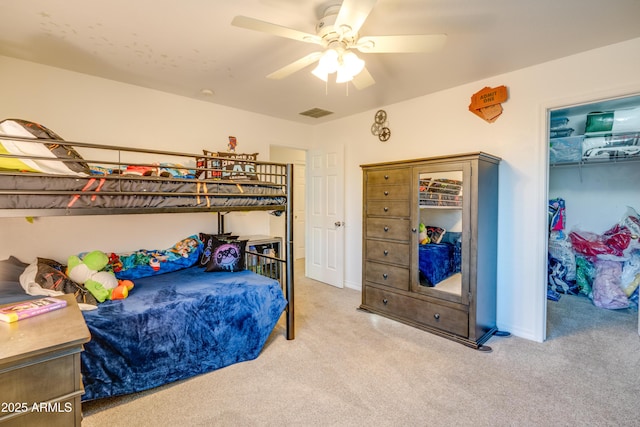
{"x": 429, "y": 244}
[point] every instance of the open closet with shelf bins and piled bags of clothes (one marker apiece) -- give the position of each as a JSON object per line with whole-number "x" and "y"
{"x": 593, "y": 256}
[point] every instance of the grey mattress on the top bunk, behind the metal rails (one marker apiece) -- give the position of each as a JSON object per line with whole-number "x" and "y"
{"x": 34, "y": 191}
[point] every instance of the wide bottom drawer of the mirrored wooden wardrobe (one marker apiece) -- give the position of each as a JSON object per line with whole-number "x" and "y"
{"x": 415, "y": 310}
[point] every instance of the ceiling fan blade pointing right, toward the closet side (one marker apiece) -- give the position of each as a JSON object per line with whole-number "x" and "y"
{"x": 401, "y": 44}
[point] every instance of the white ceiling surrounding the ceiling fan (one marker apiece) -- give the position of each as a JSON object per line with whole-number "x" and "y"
{"x": 184, "y": 46}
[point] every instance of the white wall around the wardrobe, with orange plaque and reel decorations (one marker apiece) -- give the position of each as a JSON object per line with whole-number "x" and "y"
{"x": 440, "y": 124}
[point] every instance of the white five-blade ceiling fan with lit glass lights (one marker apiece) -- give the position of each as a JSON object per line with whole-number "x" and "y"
{"x": 337, "y": 33}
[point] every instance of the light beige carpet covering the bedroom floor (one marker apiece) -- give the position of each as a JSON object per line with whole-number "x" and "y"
{"x": 347, "y": 367}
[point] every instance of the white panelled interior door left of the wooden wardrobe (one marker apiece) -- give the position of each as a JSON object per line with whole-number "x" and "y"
{"x": 325, "y": 215}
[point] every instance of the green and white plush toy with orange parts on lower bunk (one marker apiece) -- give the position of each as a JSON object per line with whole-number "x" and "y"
{"x": 103, "y": 285}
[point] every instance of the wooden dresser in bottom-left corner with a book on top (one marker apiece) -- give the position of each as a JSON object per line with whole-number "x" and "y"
{"x": 40, "y": 382}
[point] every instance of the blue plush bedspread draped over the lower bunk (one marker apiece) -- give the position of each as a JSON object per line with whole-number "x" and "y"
{"x": 177, "y": 325}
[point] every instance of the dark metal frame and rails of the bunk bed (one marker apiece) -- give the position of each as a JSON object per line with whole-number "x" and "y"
{"x": 271, "y": 174}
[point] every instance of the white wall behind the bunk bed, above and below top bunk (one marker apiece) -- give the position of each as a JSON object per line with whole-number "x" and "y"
{"x": 84, "y": 108}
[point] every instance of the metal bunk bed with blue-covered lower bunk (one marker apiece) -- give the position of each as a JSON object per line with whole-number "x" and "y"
{"x": 178, "y": 324}
